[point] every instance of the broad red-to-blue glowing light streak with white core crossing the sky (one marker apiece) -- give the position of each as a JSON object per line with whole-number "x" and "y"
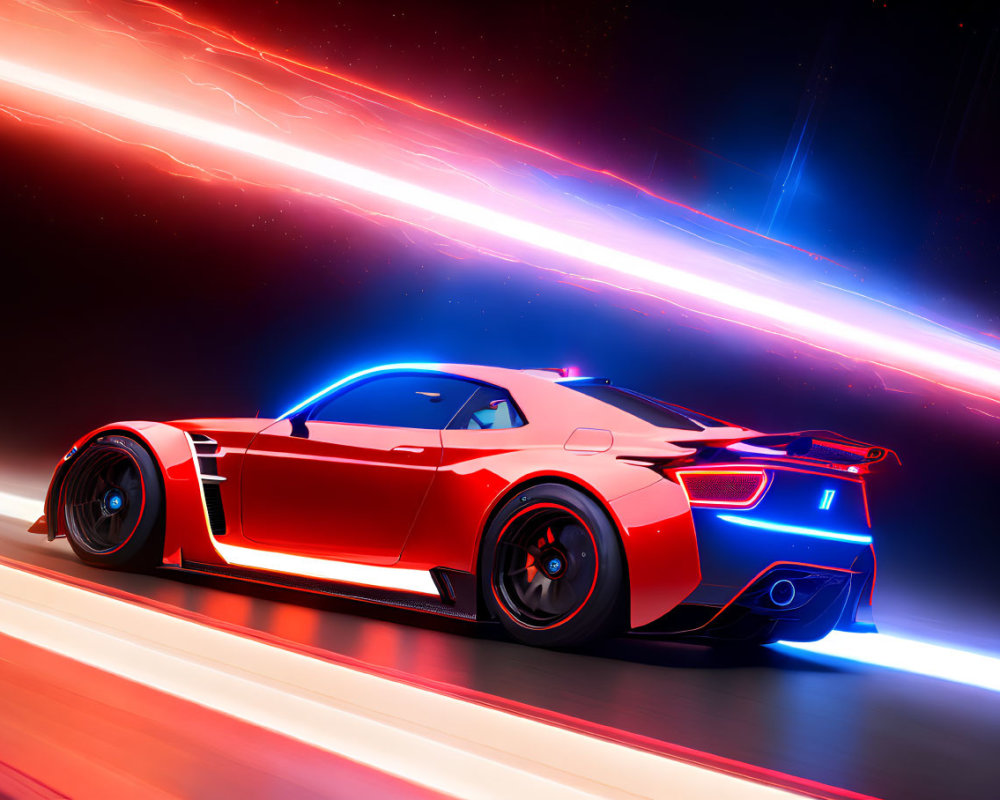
{"x": 221, "y": 109}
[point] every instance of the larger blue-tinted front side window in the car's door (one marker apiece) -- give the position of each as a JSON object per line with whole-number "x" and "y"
{"x": 413, "y": 400}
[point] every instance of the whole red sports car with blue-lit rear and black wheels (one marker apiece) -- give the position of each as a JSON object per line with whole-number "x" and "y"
{"x": 566, "y": 508}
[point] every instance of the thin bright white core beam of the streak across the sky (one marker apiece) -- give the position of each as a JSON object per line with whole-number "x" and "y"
{"x": 857, "y": 340}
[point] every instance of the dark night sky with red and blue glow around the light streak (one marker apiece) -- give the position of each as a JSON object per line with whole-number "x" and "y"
{"x": 131, "y": 294}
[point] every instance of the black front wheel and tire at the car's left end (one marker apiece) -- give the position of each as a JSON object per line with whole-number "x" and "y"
{"x": 111, "y": 505}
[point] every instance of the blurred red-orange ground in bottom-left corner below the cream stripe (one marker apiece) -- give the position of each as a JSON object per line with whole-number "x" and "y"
{"x": 69, "y": 730}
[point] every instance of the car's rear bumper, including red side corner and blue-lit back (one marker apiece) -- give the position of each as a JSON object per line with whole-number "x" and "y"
{"x": 702, "y": 569}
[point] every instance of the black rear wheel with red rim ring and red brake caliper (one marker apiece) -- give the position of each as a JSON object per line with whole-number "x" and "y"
{"x": 551, "y": 569}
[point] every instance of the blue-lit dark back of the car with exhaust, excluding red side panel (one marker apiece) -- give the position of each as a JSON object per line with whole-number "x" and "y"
{"x": 796, "y": 564}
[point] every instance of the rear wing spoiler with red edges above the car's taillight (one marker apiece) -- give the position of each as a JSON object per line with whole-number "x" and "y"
{"x": 821, "y": 447}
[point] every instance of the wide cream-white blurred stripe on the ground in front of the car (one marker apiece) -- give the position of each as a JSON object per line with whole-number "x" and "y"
{"x": 444, "y": 743}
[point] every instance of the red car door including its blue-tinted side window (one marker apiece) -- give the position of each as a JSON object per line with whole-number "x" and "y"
{"x": 347, "y": 479}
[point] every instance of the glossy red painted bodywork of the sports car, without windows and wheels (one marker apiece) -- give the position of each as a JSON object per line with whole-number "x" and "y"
{"x": 421, "y": 500}
